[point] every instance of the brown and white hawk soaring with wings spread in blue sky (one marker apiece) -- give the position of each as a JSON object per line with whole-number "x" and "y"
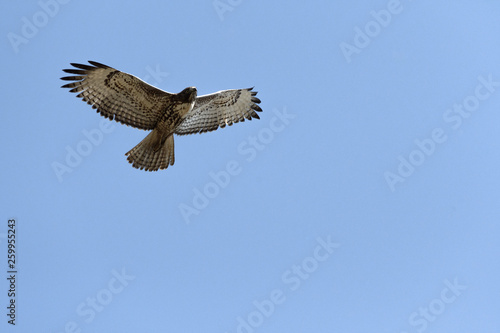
{"x": 131, "y": 101}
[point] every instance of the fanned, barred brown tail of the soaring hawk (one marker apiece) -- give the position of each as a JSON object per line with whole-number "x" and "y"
{"x": 151, "y": 154}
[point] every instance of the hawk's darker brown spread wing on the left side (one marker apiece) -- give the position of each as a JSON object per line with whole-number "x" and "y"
{"x": 117, "y": 95}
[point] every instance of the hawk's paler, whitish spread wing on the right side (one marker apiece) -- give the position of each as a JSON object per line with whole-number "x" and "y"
{"x": 220, "y": 109}
